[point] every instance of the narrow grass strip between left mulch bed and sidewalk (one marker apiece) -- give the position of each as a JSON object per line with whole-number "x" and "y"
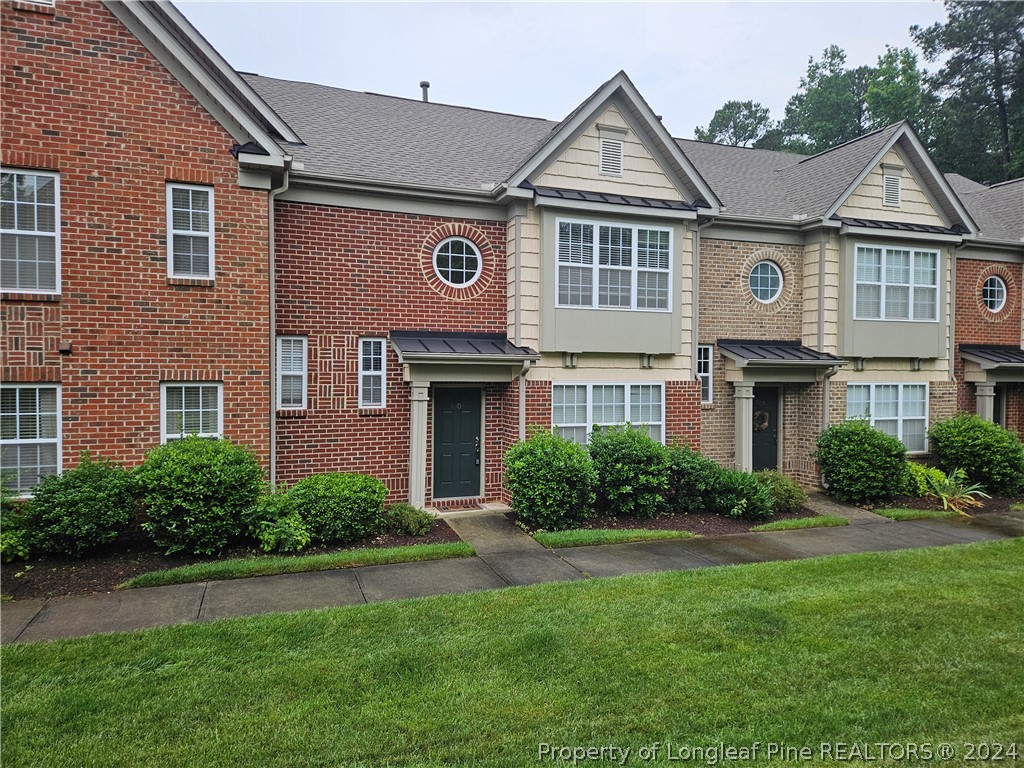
{"x": 272, "y": 566}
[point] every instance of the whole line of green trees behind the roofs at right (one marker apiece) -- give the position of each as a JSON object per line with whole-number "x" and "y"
{"x": 969, "y": 113}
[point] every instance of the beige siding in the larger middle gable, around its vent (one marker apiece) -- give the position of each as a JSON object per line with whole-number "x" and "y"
{"x": 578, "y": 166}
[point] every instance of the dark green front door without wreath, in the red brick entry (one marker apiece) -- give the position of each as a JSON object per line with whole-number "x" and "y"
{"x": 457, "y": 443}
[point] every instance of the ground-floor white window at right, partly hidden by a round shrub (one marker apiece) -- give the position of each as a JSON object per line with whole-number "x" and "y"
{"x": 899, "y": 410}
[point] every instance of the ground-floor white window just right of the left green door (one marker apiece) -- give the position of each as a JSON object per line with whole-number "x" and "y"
{"x": 577, "y": 409}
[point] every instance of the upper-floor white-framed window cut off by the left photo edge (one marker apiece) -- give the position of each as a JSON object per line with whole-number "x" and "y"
{"x": 30, "y": 232}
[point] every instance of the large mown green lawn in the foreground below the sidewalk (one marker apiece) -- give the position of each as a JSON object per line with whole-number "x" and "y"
{"x": 913, "y": 647}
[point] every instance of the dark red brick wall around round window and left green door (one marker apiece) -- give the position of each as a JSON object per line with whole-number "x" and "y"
{"x": 346, "y": 274}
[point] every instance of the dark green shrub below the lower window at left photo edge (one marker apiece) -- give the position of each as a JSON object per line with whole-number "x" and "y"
{"x": 80, "y": 509}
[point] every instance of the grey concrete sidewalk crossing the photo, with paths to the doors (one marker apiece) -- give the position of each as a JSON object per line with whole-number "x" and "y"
{"x": 506, "y": 558}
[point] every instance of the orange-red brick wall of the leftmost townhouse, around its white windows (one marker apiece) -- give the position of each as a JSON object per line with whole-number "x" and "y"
{"x": 84, "y": 98}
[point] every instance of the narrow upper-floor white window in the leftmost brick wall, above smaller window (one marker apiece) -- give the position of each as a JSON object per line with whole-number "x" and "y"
{"x": 190, "y": 232}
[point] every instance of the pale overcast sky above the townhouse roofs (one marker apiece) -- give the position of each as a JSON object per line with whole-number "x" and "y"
{"x": 542, "y": 60}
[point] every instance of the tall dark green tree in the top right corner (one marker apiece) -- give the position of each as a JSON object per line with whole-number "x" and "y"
{"x": 984, "y": 71}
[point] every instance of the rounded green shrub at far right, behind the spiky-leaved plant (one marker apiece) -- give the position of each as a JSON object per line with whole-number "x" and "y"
{"x": 988, "y": 453}
